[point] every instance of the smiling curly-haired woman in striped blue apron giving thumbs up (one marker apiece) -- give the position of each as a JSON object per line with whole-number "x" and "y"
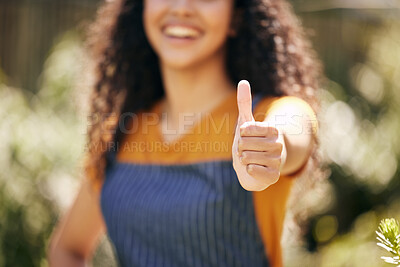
{"x": 183, "y": 168}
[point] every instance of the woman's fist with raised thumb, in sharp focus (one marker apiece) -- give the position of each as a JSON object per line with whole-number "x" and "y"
{"x": 257, "y": 147}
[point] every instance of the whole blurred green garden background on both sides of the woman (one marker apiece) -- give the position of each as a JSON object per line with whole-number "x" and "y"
{"x": 43, "y": 89}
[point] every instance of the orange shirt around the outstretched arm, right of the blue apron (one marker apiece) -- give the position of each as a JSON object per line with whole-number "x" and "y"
{"x": 270, "y": 204}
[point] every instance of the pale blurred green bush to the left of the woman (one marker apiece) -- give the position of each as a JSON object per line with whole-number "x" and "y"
{"x": 41, "y": 144}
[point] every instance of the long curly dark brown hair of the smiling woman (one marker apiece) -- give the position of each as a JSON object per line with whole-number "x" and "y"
{"x": 270, "y": 49}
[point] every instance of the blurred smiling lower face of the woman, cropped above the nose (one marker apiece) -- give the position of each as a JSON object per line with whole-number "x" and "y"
{"x": 187, "y": 32}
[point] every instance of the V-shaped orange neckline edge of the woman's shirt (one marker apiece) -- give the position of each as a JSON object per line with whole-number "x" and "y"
{"x": 158, "y": 127}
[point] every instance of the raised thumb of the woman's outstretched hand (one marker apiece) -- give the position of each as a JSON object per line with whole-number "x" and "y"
{"x": 244, "y": 102}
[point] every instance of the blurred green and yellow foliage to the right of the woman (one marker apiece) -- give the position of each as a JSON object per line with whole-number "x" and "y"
{"x": 360, "y": 122}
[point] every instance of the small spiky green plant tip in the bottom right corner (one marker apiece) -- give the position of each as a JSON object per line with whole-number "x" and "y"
{"x": 389, "y": 239}
